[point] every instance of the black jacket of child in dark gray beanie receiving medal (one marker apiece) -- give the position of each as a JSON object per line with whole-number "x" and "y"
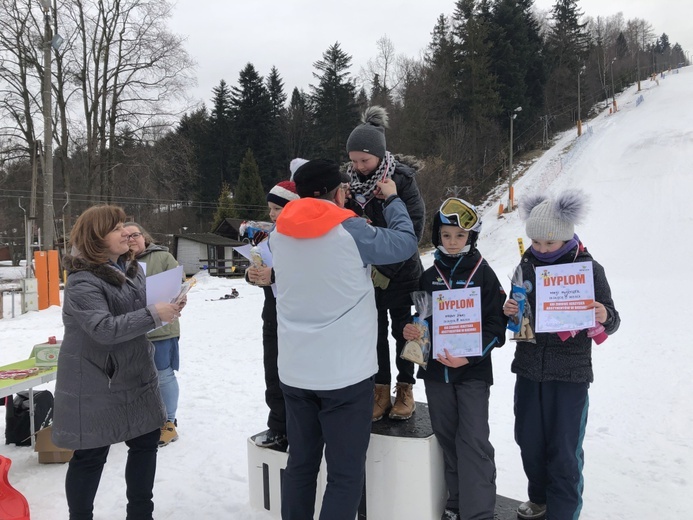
{"x": 404, "y": 276}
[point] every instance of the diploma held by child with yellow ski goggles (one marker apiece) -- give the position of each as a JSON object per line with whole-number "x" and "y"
{"x": 457, "y": 322}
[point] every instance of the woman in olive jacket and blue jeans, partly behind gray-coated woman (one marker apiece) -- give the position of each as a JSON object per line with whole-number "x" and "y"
{"x": 156, "y": 259}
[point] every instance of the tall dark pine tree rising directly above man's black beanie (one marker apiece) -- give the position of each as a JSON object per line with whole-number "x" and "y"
{"x": 334, "y": 102}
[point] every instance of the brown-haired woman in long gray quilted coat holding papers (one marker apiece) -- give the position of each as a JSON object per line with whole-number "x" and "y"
{"x": 107, "y": 389}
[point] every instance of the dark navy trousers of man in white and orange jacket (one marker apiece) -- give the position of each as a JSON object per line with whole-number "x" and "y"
{"x": 339, "y": 420}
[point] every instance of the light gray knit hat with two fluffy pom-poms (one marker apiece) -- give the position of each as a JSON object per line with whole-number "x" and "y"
{"x": 553, "y": 219}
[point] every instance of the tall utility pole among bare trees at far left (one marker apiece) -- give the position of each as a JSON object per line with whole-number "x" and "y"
{"x": 48, "y": 221}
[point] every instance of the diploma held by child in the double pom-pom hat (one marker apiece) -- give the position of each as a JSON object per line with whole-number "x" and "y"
{"x": 563, "y": 293}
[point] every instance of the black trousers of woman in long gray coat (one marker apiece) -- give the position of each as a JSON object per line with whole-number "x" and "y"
{"x": 84, "y": 474}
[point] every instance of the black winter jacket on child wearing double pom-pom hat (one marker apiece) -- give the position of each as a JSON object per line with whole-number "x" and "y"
{"x": 552, "y": 359}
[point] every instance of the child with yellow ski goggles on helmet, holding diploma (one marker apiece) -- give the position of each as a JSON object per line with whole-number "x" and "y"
{"x": 458, "y": 387}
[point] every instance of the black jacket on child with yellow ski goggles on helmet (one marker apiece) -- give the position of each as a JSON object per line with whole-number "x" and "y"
{"x": 493, "y": 321}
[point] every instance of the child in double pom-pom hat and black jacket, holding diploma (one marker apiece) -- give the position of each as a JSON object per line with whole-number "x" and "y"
{"x": 554, "y": 370}
